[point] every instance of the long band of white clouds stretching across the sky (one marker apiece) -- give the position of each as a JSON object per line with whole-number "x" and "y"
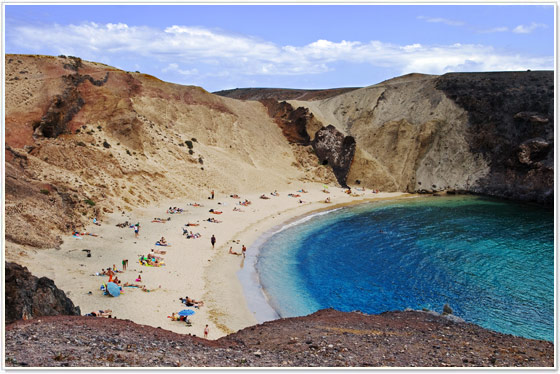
{"x": 192, "y": 51}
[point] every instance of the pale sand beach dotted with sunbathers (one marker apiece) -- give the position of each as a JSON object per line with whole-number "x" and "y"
{"x": 192, "y": 267}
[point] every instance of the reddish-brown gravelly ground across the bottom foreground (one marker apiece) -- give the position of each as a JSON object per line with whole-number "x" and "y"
{"x": 324, "y": 339}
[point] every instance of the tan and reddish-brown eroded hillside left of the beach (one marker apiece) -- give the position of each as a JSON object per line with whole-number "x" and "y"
{"x": 84, "y": 138}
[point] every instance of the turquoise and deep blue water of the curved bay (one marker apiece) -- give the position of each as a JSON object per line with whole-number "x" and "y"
{"x": 492, "y": 261}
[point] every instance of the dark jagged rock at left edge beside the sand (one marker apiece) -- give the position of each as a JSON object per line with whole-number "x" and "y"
{"x": 30, "y": 297}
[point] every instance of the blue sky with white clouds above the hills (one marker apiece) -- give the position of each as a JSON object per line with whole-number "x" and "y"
{"x": 291, "y": 46}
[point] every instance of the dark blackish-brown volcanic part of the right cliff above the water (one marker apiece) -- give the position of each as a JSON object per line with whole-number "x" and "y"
{"x": 511, "y": 119}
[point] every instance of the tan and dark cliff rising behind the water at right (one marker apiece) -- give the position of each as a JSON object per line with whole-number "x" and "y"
{"x": 488, "y": 133}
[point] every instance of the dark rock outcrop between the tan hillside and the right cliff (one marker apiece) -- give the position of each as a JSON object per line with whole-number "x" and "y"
{"x": 336, "y": 150}
